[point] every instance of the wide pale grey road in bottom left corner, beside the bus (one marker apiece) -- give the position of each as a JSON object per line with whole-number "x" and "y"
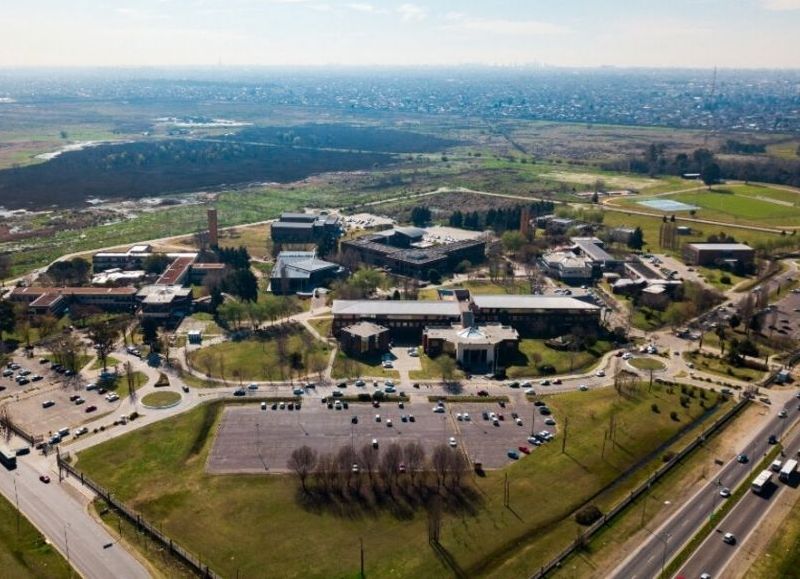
{"x": 65, "y": 522}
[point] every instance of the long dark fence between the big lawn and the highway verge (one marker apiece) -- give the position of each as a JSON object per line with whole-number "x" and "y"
{"x": 586, "y": 536}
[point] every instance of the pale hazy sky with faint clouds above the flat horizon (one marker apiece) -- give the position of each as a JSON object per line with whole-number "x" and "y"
{"x": 685, "y": 33}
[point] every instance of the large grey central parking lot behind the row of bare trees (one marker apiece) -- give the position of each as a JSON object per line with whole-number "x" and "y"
{"x": 253, "y": 440}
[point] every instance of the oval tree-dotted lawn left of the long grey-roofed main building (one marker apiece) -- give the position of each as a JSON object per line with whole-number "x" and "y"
{"x": 262, "y": 359}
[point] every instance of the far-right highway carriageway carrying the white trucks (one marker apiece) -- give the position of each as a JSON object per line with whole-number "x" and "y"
{"x": 713, "y": 556}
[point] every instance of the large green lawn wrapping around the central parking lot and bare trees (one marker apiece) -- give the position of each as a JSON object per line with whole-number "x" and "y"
{"x": 491, "y": 540}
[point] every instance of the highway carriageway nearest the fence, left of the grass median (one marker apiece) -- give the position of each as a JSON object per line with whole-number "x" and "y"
{"x": 668, "y": 540}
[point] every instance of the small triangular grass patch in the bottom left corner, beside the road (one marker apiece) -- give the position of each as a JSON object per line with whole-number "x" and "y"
{"x": 26, "y": 555}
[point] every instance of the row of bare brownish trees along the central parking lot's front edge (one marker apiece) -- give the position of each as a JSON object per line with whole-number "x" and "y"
{"x": 378, "y": 470}
